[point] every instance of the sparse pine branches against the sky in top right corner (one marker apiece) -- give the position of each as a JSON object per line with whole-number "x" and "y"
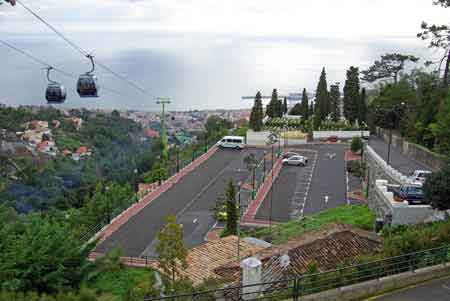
{"x": 439, "y": 37}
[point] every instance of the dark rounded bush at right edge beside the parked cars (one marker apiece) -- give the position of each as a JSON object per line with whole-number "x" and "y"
{"x": 437, "y": 189}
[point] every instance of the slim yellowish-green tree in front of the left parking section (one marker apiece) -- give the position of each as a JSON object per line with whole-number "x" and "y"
{"x": 171, "y": 251}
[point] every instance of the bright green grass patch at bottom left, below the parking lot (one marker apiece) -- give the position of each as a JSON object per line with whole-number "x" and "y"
{"x": 114, "y": 285}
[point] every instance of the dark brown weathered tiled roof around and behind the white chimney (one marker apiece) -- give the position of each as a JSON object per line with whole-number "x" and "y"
{"x": 328, "y": 248}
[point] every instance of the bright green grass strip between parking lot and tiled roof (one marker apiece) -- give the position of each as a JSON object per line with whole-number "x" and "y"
{"x": 356, "y": 215}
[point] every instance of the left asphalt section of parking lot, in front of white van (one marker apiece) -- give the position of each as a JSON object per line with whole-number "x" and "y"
{"x": 191, "y": 199}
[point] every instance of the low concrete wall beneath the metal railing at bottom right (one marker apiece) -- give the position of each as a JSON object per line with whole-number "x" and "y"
{"x": 383, "y": 285}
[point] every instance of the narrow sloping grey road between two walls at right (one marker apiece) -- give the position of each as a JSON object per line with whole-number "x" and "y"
{"x": 399, "y": 161}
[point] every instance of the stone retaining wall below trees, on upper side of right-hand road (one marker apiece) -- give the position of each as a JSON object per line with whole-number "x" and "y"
{"x": 420, "y": 154}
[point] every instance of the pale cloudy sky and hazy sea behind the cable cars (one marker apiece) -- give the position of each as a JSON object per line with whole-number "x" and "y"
{"x": 205, "y": 54}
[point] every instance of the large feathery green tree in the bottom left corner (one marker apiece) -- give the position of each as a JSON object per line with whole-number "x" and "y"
{"x": 41, "y": 254}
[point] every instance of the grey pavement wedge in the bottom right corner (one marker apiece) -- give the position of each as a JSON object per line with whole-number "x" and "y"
{"x": 436, "y": 290}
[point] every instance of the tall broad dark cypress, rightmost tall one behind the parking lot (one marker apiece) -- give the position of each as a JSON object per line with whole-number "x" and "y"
{"x": 351, "y": 95}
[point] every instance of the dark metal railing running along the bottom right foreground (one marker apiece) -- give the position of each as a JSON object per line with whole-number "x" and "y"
{"x": 311, "y": 283}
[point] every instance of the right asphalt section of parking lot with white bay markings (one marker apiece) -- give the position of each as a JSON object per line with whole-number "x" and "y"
{"x": 301, "y": 191}
